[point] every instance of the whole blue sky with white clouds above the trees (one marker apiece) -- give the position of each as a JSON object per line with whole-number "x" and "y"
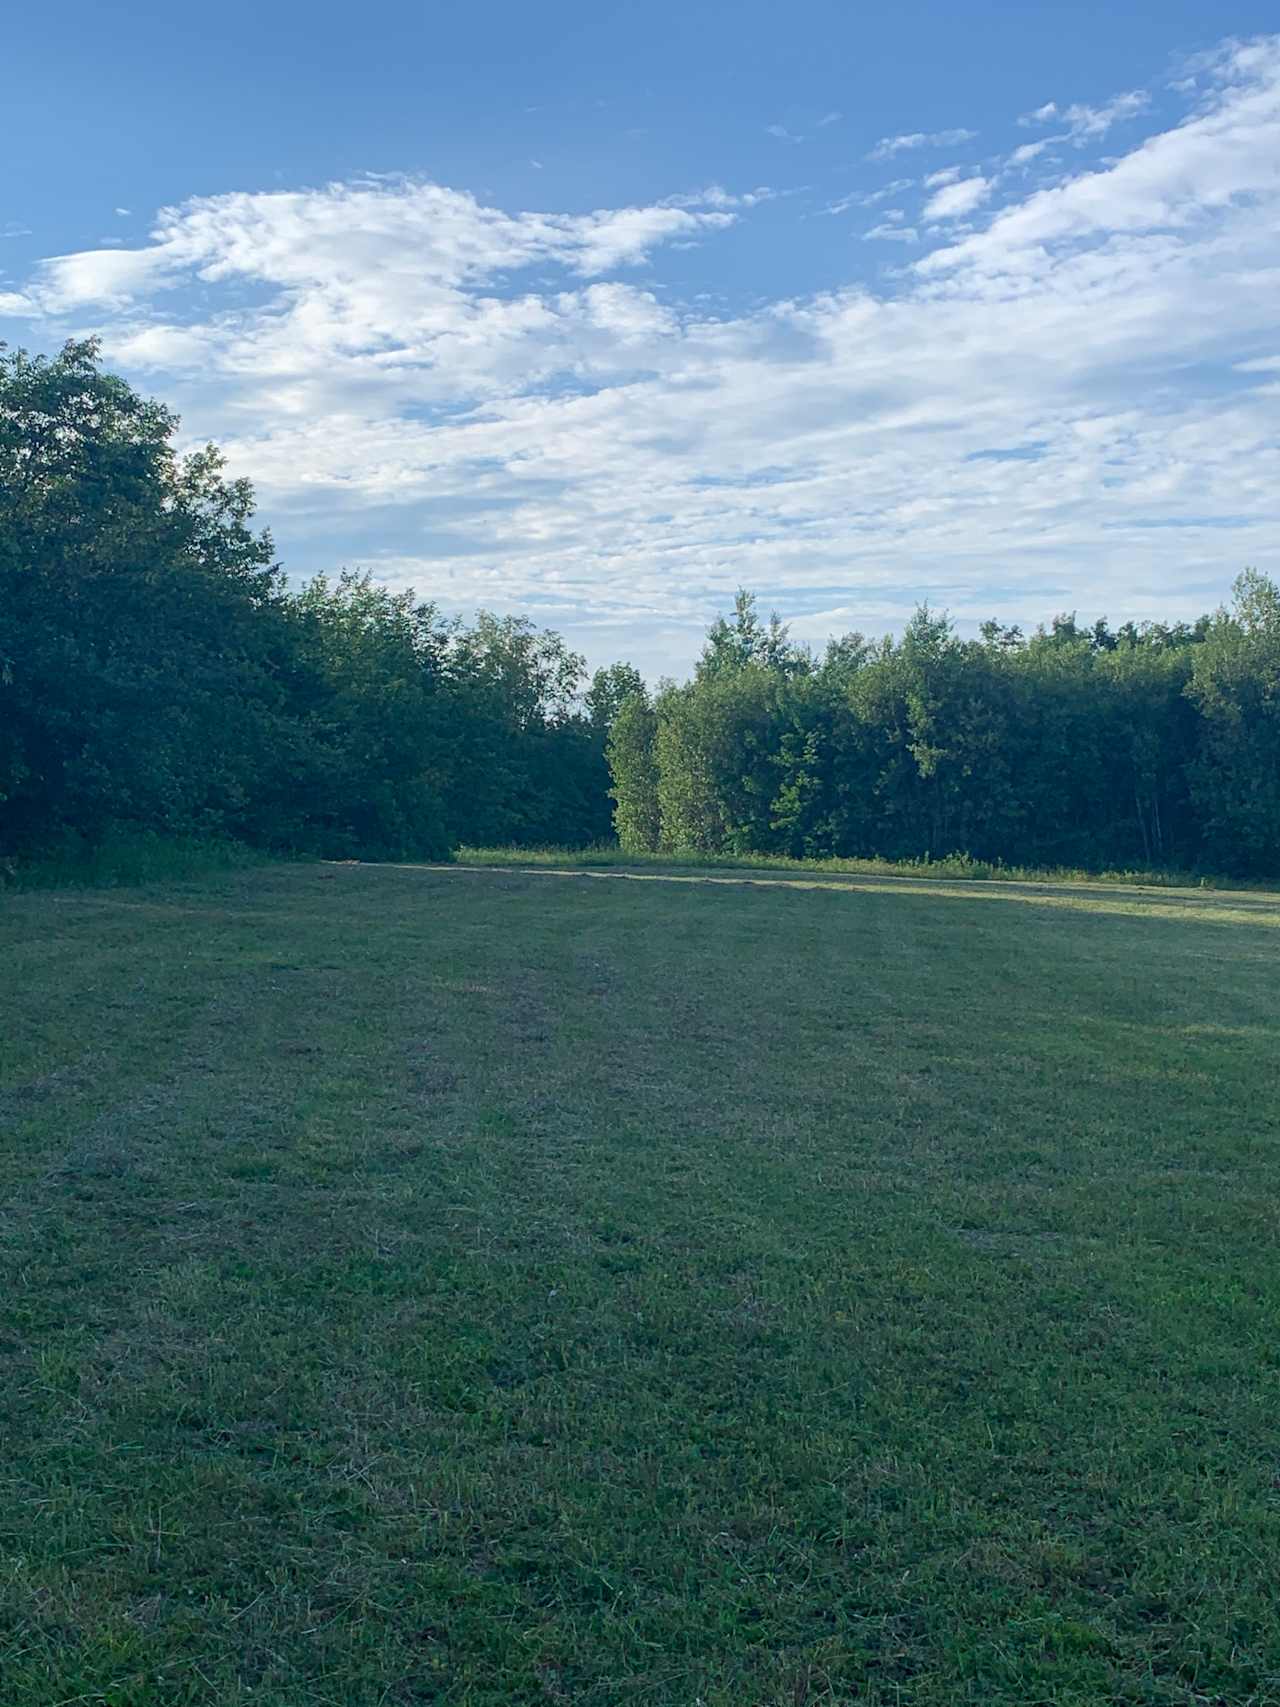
{"x": 600, "y": 312}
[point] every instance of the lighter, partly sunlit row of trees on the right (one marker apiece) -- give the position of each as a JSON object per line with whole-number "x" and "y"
{"x": 1155, "y": 749}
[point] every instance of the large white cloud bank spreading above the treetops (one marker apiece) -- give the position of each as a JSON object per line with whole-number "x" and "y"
{"x": 497, "y": 407}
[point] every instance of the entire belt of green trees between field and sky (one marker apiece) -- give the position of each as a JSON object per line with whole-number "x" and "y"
{"x": 160, "y": 675}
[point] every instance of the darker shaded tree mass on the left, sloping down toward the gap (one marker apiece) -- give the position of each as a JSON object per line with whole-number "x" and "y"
{"x": 160, "y": 679}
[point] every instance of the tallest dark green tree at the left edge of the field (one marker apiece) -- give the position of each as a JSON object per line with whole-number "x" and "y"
{"x": 141, "y": 615}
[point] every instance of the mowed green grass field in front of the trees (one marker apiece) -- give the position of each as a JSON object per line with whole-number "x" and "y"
{"x": 509, "y": 1288}
